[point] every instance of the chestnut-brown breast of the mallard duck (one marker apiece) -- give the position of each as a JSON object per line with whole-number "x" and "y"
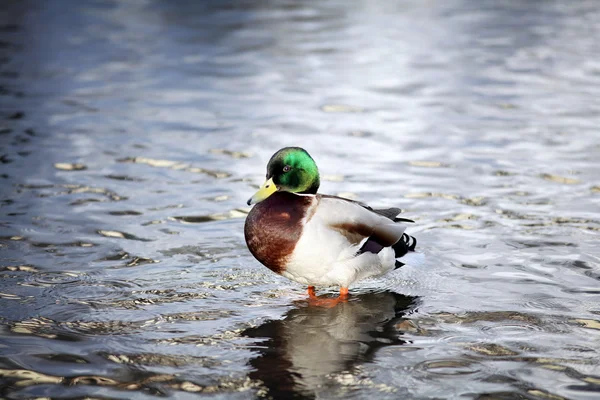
{"x": 274, "y": 226}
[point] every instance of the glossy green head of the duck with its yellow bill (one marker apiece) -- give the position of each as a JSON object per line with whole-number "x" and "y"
{"x": 291, "y": 169}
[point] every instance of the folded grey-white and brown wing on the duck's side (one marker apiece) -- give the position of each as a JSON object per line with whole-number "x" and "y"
{"x": 357, "y": 220}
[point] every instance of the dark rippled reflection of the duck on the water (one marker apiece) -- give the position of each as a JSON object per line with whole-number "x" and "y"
{"x": 313, "y": 341}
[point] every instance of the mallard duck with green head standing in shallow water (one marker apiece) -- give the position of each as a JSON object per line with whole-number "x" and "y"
{"x": 317, "y": 239}
